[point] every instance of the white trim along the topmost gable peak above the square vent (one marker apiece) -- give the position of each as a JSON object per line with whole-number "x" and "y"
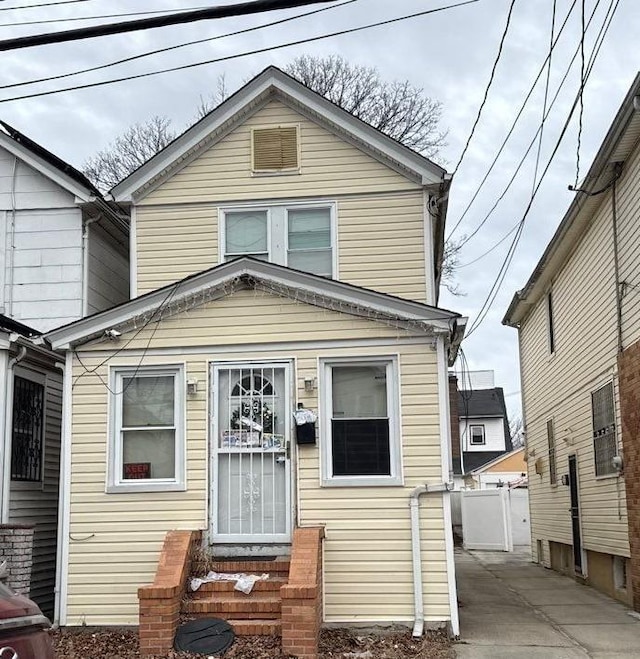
{"x": 270, "y": 80}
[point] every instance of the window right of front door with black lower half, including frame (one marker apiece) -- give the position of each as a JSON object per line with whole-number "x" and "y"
{"x": 361, "y": 417}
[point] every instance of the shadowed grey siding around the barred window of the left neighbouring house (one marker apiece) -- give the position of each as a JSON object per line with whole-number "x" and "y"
{"x": 37, "y": 503}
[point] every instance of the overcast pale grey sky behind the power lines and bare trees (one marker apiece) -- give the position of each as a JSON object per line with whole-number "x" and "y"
{"x": 449, "y": 54}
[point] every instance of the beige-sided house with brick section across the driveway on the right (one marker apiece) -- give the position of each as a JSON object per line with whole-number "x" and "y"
{"x": 578, "y": 320}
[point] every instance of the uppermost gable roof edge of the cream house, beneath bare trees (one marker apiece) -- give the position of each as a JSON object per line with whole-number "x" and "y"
{"x": 270, "y": 83}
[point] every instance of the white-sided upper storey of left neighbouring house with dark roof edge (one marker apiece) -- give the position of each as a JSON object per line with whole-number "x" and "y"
{"x": 64, "y": 252}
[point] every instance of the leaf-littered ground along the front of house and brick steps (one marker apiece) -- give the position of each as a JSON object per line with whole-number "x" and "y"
{"x": 334, "y": 644}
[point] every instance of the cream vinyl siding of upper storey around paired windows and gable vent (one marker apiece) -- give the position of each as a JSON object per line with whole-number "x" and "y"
{"x": 380, "y": 214}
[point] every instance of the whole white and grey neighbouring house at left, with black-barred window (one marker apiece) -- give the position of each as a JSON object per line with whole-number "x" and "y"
{"x": 64, "y": 254}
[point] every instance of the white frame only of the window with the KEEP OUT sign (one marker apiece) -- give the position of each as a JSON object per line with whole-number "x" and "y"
{"x": 115, "y": 482}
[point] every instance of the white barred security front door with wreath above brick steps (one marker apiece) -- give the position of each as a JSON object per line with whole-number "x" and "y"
{"x": 251, "y": 426}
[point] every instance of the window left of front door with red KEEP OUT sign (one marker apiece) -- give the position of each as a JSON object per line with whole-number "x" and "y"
{"x": 147, "y": 436}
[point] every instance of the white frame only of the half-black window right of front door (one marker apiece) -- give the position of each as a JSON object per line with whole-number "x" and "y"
{"x": 393, "y": 411}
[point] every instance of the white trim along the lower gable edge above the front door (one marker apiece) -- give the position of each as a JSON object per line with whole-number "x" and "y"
{"x": 216, "y": 278}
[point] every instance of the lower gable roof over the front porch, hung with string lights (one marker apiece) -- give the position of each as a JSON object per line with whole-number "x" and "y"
{"x": 247, "y": 272}
